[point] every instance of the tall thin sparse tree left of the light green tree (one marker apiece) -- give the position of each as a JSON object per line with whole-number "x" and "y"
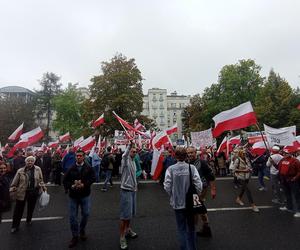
{"x": 50, "y": 88}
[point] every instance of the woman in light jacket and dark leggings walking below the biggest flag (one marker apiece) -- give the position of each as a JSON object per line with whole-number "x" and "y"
{"x": 242, "y": 170}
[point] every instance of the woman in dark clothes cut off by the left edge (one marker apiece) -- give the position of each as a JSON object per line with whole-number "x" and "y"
{"x": 4, "y": 189}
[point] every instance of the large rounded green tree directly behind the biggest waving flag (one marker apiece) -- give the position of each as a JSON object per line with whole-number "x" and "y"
{"x": 237, "y": 83}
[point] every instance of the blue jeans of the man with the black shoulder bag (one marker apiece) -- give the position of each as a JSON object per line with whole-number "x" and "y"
{"x": 185, "y": 229}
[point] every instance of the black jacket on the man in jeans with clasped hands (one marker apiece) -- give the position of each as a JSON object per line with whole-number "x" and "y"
{"x": 87, "y": 177}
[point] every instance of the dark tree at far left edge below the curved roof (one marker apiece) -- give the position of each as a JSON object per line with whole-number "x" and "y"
{"x": 13, "y": 111}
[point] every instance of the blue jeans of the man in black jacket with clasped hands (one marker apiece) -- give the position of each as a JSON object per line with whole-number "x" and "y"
{"x": 85, "y": 205}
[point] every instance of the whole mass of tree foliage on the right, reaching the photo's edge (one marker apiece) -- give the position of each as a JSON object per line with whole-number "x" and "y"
{"x": 273, "y": 100}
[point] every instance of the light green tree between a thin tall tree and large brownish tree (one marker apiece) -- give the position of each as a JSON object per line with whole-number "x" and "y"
{"x": 69, "y": 109}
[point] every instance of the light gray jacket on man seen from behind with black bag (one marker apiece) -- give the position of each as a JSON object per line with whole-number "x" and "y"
{"x": 177, "y": 182}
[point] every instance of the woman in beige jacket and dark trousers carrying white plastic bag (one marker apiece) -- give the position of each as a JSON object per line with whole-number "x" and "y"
{"x": 27, "y": 185}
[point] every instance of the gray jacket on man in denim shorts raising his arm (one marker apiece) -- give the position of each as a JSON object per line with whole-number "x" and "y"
{"x": 128, "y": 172}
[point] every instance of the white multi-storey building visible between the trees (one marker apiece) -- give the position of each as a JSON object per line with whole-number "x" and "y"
{"x": 165, "y": 110}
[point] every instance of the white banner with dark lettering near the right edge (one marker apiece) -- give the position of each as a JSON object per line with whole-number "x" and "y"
{"x": 280, "y": 136}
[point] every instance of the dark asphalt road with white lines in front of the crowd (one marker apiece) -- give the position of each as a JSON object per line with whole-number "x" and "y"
{"x": 233, "y": 227}
